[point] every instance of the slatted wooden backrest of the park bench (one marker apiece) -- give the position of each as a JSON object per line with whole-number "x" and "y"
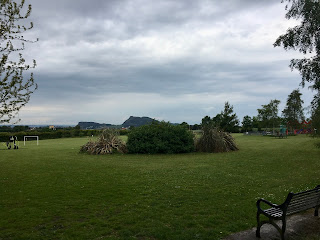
{"x": 303, "y": 200}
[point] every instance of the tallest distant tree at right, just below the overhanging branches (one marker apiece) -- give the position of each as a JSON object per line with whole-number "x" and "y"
{"x": 293, "y": 112}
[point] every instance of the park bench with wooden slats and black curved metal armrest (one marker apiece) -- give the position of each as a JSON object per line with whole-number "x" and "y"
{"x": 295, "y": 203}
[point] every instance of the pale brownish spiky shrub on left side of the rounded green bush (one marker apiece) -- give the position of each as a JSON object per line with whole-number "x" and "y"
{"x": 107, "y": 143}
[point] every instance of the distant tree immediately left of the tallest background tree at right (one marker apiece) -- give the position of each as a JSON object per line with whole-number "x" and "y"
{"x": 268, "y": 114}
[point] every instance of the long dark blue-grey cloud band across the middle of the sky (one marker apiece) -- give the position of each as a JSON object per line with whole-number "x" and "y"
{"x": 168, "y": 79}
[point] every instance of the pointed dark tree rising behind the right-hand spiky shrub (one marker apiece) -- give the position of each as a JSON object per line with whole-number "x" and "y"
{"x": 229, "y": 120}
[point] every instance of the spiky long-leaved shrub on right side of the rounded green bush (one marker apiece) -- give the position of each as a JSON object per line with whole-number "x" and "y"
{"x": 214, "y": 140}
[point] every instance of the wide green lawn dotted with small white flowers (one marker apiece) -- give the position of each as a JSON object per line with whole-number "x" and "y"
{"x": 51, "y": 191}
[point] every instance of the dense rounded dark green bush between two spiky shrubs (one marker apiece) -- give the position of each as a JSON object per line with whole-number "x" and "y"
{"x": 160, "y": 137}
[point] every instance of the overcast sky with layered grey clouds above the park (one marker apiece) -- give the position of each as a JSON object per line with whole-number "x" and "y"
{"x": 173, "y": 60}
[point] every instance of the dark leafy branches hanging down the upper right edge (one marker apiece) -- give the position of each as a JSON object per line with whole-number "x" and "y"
{"x": 305, "y": 38}
